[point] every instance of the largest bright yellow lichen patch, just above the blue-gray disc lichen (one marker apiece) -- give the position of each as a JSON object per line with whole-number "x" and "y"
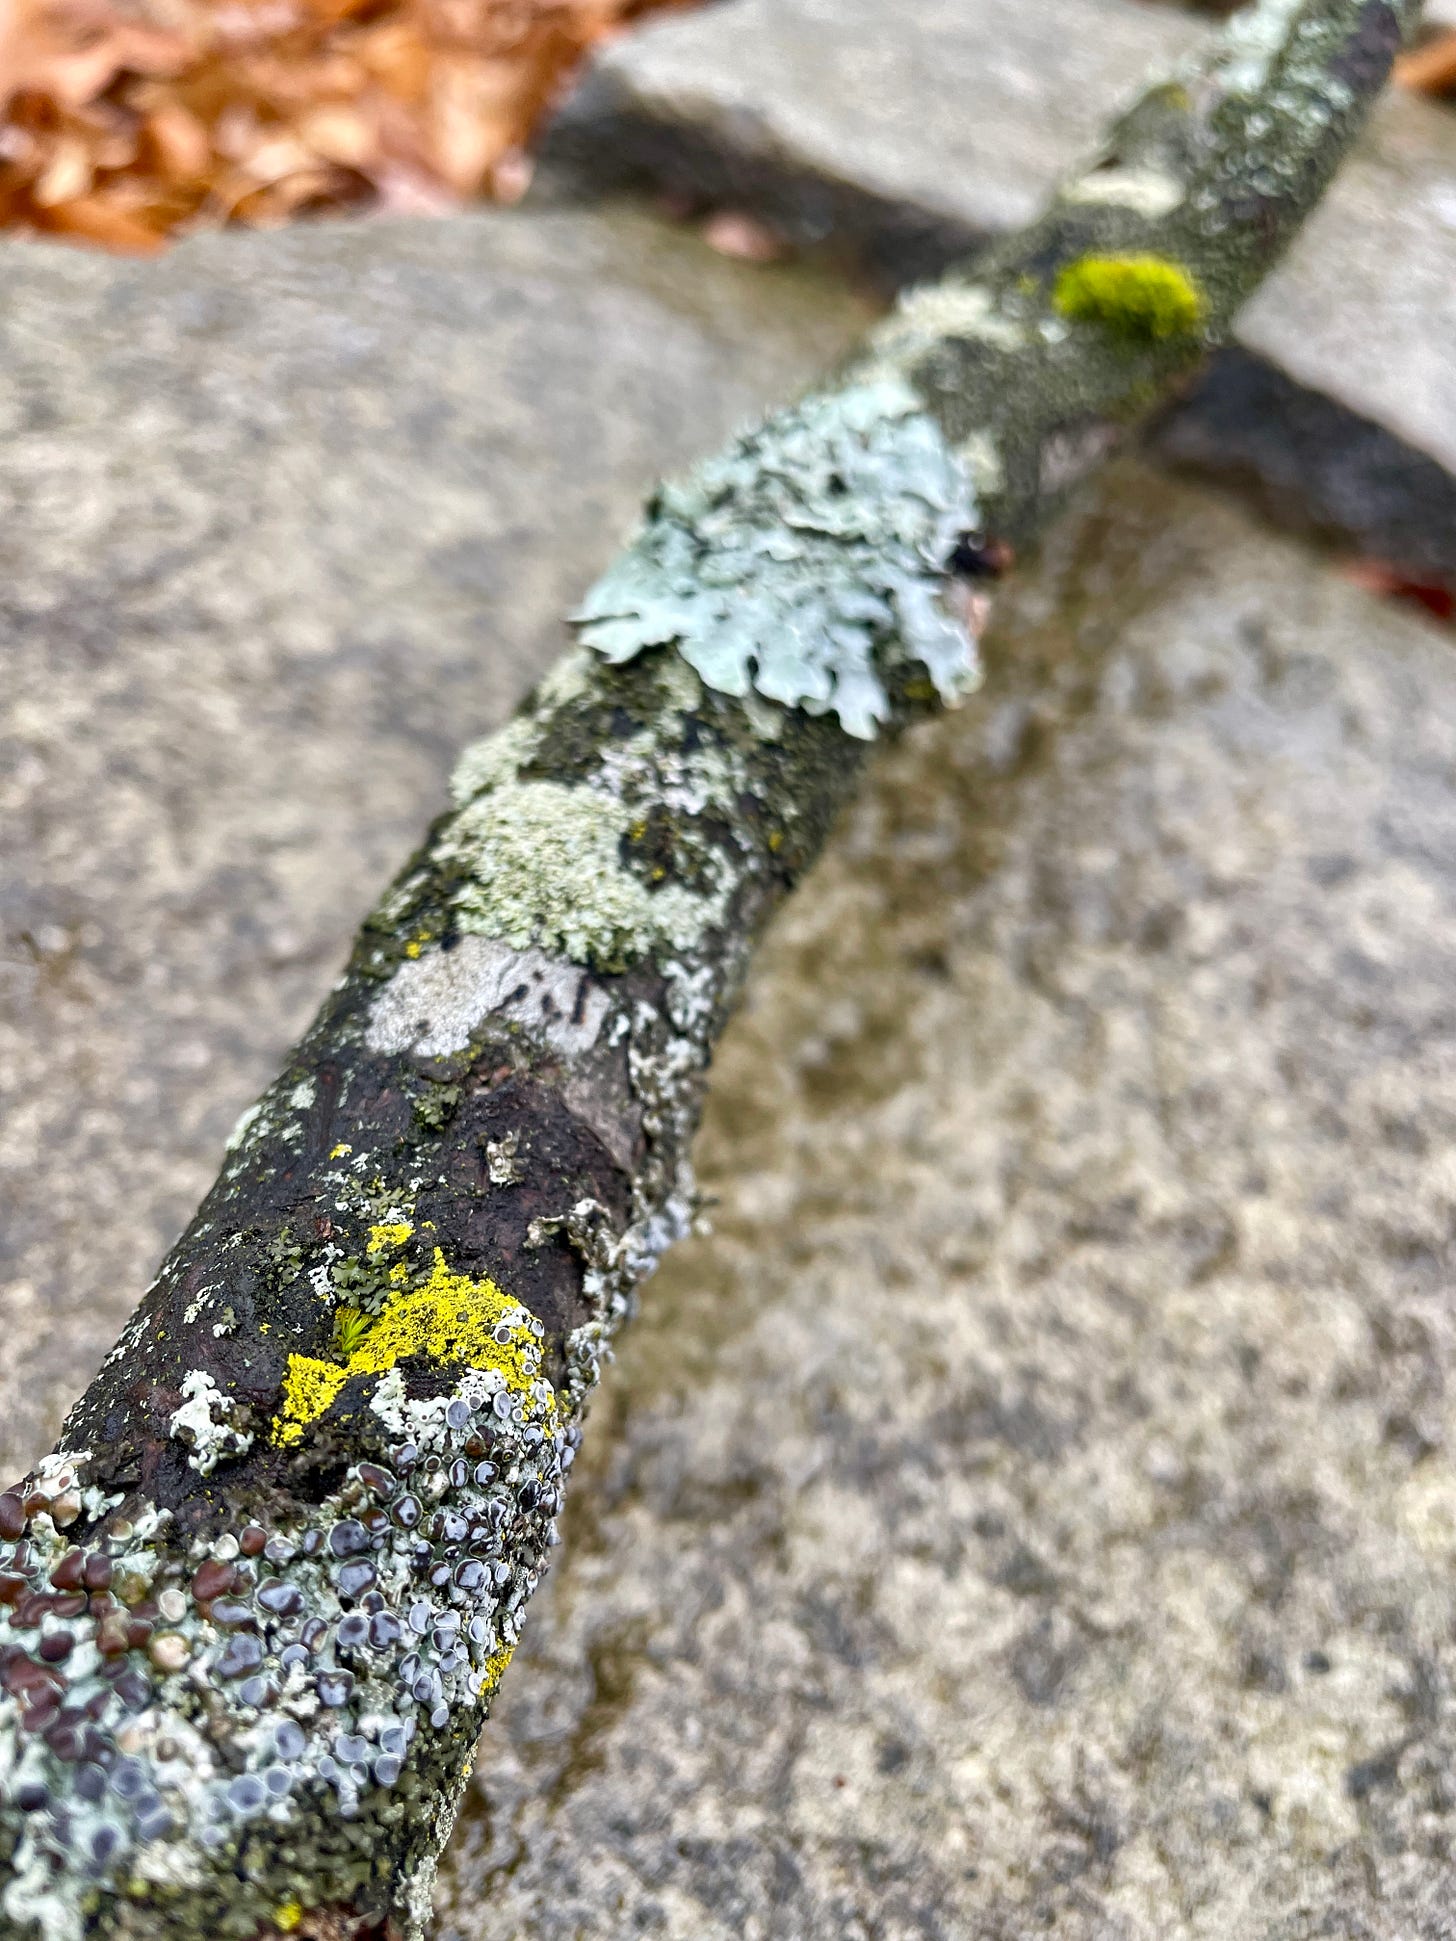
{"x": 451, "y": 1319}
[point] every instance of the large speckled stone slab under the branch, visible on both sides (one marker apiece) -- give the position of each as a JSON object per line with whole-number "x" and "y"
{"x": 1034, "y": 1507}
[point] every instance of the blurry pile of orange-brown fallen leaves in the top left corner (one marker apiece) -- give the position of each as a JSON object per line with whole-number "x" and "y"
{"x": 129, "y": 121}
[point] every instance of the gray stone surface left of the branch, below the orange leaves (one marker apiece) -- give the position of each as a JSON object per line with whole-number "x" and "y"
{"x": 284, "y": 519}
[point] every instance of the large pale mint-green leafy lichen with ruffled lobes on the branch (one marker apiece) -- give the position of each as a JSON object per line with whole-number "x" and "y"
{"x": 805, "y": 560}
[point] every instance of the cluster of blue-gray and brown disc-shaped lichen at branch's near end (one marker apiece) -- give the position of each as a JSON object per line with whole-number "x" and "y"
{"x": 168, "y": 1709}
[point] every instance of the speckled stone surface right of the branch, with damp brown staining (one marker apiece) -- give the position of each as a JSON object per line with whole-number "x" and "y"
{"x": 1034, "y": 1509}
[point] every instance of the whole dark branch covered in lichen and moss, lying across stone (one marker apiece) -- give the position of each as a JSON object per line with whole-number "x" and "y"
{"x": 255, "y": 1606}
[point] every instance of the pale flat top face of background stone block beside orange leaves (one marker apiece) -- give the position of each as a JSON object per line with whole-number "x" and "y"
{"x": 962, "y": 108}
